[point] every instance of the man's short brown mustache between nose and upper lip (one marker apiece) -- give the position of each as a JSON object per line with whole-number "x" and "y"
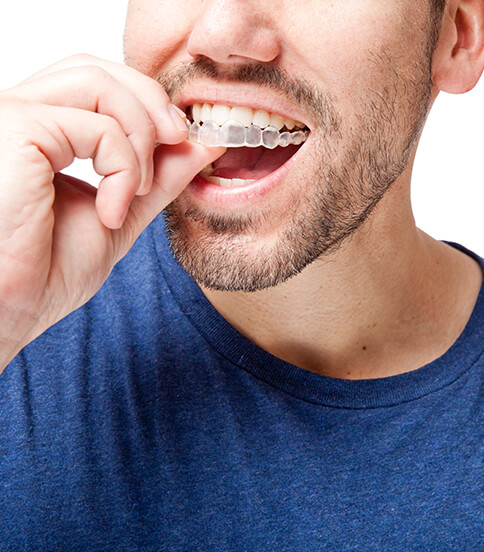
{"x": 320, "y": 104}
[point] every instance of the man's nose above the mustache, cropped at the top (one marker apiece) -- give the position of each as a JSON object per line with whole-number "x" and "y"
{"x": 234, "y": 32}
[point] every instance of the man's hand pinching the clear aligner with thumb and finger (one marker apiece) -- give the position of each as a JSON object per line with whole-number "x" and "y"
{"x": 59, "y": 236}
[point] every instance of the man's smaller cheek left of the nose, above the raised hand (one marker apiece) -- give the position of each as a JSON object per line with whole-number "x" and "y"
{"x": 155, "y": 32}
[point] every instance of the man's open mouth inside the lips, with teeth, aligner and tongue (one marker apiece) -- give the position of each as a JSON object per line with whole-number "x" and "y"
{"x": 258, "y": 142}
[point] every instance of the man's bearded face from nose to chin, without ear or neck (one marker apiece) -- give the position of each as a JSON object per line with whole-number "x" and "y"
{"x": 355, "y": 72}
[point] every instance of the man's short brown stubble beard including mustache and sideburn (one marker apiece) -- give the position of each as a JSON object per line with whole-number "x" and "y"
{"x": 334, "y": 192}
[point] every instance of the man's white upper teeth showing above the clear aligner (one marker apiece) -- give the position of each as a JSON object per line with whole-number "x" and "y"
{"x": 247, "y": 116}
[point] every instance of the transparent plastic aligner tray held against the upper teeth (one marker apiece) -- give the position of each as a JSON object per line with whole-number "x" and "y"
{"x": 233, "y": 134}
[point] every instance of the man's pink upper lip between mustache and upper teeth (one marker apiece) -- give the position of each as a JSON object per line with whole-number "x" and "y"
{"x": 241, "y": 94}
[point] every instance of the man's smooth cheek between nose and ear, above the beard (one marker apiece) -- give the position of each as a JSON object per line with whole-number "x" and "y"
{"x": 348, "y": 47}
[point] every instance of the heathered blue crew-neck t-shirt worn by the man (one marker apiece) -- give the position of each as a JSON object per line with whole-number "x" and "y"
{"x": 144, "y": 422}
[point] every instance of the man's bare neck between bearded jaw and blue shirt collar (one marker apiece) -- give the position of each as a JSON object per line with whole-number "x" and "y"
{"x": 389, "y": 300}
